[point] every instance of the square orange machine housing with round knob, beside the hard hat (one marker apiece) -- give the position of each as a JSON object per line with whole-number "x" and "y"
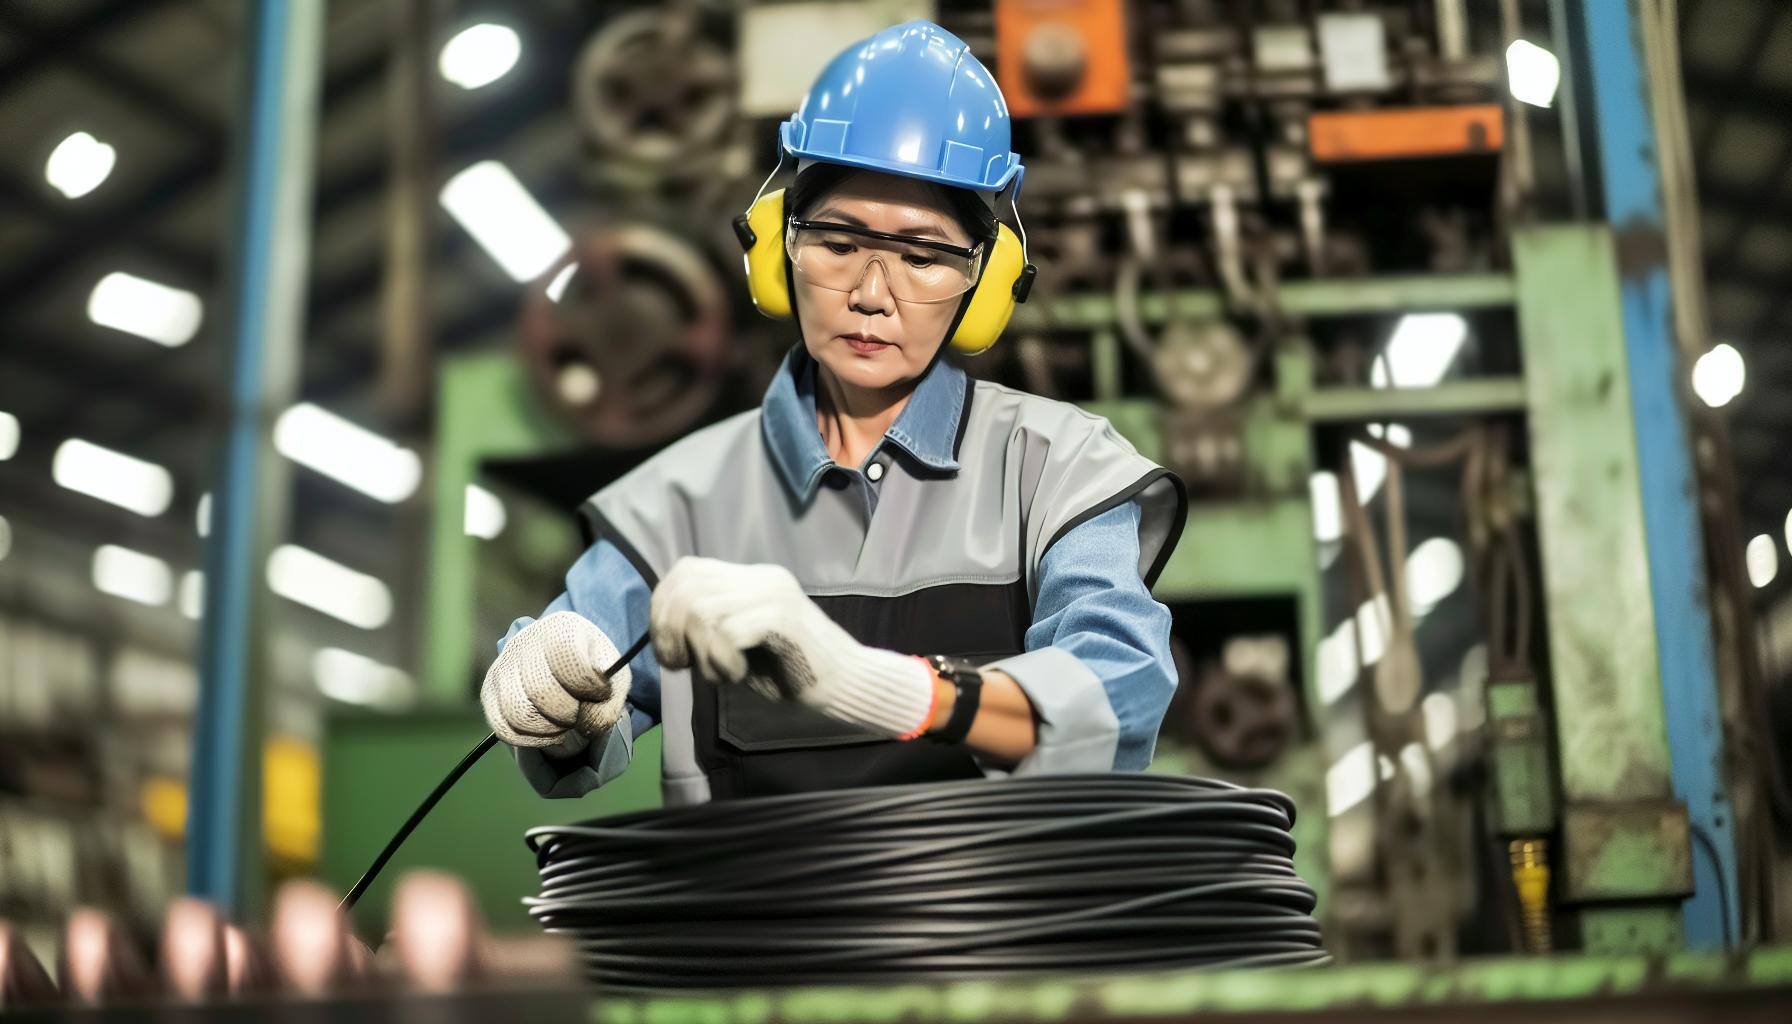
{"x": 1099, "y": 26}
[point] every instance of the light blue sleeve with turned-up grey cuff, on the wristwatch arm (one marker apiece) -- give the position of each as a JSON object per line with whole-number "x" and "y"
{"x": 1098, "y": 666}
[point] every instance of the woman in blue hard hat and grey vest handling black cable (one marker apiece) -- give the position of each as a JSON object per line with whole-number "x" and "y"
{"x": 832, "y": 566}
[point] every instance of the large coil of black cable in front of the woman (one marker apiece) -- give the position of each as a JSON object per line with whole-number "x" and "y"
{"x": 933, "y": 883}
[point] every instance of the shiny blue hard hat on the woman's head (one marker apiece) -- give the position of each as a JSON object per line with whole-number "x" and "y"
{"x": 909, "y": 101}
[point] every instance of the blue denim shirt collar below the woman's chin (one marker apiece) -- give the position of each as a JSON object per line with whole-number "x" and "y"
{"x": 927, "y": 430}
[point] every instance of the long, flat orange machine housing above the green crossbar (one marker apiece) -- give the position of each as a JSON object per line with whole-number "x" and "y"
{"x": 1406, "y": 134}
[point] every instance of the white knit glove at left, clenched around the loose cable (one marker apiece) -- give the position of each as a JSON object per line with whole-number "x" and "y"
{"x": 547, "y": 686}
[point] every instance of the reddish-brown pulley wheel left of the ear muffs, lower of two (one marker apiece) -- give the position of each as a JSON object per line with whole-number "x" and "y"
{"x": 635, "y": 349}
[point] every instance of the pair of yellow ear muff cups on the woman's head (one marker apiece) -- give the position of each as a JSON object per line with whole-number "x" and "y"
{"x": 1006, "y": 277}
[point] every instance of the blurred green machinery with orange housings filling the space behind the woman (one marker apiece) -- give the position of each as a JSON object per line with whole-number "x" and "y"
{"x": 1418, "y": 352}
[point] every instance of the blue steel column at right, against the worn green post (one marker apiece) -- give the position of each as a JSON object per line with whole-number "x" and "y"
{"x": 1626, "y": 144}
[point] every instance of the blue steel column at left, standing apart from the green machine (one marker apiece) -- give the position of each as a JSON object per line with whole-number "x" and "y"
{"x": 264, "y": 306}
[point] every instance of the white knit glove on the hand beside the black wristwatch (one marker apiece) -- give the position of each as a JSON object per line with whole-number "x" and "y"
{"x": 754, "y": 623}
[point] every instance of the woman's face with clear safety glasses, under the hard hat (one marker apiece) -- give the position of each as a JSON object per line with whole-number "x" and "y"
{"x": 866, "y": 336}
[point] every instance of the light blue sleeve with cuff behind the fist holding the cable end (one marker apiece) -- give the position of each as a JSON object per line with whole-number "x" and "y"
{"x": 605, "y": 587}
